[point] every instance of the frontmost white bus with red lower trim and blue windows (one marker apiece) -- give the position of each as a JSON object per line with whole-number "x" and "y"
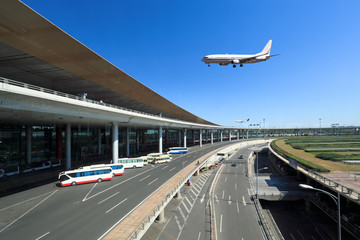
{"x": 80, "y": 176}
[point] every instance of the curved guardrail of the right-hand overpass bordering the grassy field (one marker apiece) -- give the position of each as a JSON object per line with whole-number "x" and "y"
{"x": 328, "y": 182}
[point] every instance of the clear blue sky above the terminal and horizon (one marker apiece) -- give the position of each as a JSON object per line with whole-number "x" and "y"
{"x": 161, "y": 43}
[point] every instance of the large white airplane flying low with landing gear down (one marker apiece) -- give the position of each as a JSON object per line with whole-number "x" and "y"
{"x": 226, "y": 59}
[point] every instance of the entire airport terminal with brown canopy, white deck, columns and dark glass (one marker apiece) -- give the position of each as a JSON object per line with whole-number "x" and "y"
{"x": 61, "y": 103}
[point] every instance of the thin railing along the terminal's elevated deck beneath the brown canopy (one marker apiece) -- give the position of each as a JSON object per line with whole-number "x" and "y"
{"x": 57, "y": 93}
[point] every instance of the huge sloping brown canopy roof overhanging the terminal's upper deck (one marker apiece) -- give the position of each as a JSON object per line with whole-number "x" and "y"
{"x": 35, "y": 51}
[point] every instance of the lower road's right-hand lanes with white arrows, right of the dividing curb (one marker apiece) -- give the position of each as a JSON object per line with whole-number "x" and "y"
{"x": 235, "y": 214}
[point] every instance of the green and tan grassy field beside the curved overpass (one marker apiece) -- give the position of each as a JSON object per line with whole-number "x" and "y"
{"x": 322, "y": 153}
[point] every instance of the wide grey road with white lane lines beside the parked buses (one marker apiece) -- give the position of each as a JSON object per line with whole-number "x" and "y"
{"x": 85, "y": 211}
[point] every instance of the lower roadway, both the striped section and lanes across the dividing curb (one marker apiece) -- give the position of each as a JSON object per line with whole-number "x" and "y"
{"x": 235, "y": 214}
